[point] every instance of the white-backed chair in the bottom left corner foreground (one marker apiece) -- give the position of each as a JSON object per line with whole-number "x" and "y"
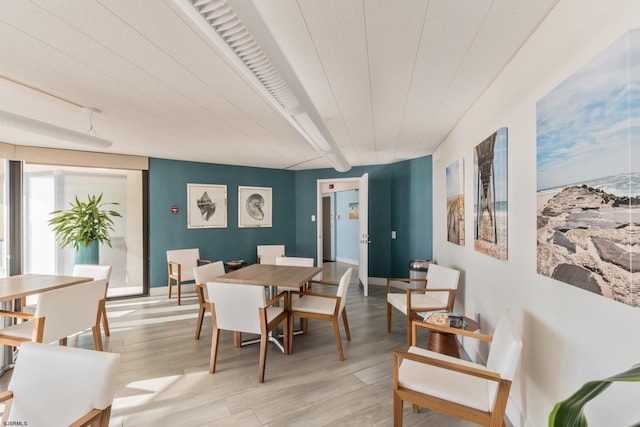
{"x": 60, "y": 386}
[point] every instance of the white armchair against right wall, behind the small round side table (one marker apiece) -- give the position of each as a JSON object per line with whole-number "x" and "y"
{"x": 438, "y": 294}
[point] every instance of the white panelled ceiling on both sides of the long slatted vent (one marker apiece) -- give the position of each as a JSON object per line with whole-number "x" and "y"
{"x": 389, "y": 78}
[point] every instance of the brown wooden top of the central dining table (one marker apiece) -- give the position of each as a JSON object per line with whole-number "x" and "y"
{"x": 271, "y": 275}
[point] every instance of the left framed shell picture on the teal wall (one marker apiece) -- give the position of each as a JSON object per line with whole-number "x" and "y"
{"x": 206, "y": 206}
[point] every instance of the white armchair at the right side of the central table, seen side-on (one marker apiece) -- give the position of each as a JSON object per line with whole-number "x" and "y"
{"x": 326, "y": 307}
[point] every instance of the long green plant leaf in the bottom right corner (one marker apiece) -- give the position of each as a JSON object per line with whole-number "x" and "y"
{"x": 569, "y": 412}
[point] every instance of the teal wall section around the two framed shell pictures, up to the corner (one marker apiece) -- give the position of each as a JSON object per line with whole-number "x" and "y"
{"x": 168, "y": 181}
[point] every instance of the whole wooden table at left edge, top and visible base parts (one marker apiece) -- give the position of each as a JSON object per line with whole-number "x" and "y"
{"x": 14, "y": 288}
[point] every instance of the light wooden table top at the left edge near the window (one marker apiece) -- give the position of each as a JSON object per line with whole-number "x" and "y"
{"x": 23, "y": 285}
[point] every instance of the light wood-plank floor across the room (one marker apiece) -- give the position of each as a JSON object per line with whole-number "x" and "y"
{"x": 164, "y": 375}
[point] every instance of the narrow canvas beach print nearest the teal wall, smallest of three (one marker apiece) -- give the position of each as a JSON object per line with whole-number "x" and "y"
{"x": 455, "y": 202}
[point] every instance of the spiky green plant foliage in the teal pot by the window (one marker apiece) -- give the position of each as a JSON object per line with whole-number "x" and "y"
{"x": 84, "y": 222}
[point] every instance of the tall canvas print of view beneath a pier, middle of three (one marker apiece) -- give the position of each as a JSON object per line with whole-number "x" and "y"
{"x": 490, "y": 195}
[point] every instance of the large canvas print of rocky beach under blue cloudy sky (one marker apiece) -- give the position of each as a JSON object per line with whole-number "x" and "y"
{"x": 588, "y": 183}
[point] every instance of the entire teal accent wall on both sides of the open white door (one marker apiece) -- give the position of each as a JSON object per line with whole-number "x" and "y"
{"x": 400, "y": 198}
